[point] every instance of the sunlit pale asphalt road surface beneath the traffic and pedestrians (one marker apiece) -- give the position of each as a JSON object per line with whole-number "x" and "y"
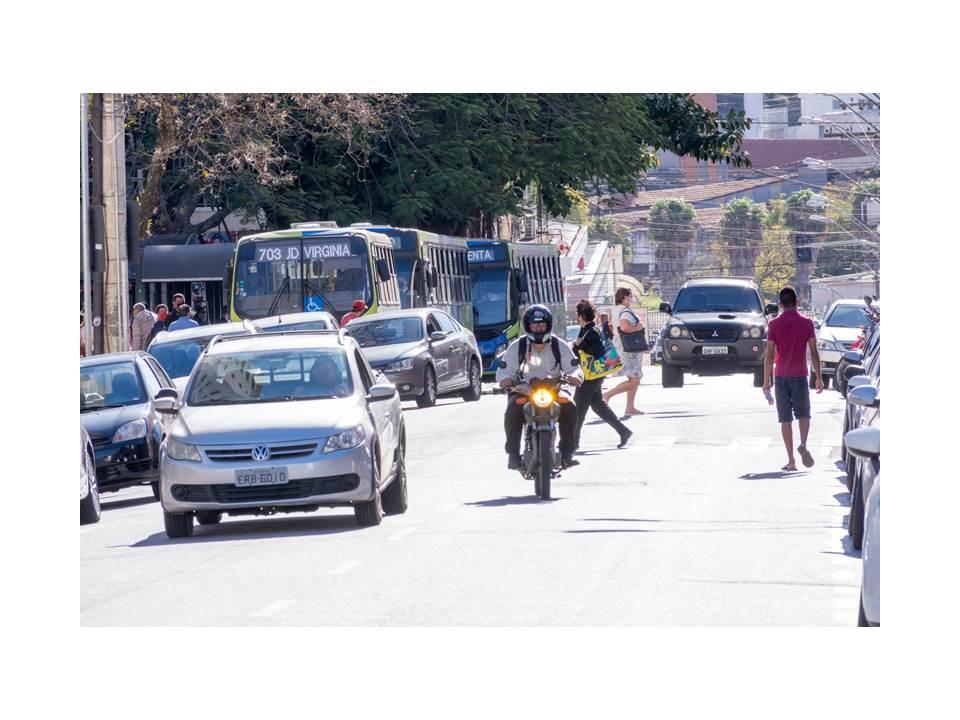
{"x": 693, "y": 524}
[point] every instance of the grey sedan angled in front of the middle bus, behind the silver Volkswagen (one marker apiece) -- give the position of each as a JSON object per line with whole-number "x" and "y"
{"x": 424, "y": 352}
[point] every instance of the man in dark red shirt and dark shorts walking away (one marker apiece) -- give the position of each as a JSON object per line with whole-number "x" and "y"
{"x": 788, "y": 337}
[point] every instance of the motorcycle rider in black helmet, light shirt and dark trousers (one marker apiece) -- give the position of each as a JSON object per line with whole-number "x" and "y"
{"x": 547, "y": 356}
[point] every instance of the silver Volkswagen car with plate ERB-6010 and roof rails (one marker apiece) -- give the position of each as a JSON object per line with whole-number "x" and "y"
{"x": 281, "y": 422}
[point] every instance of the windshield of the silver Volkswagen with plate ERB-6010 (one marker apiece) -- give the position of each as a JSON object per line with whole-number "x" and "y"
{"x": 270, "y": 376}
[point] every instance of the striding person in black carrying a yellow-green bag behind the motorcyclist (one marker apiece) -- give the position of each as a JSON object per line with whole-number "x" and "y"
{"x": 597, "y": 360}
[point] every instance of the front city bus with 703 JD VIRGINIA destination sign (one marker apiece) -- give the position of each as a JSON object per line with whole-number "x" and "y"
{"x": 310, "y": 267}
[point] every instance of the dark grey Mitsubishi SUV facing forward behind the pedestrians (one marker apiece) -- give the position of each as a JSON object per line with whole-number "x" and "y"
{"x": 718, "y": 326}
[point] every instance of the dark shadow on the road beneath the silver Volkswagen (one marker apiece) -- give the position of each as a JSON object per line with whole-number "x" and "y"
{"x": 234, "y": 530}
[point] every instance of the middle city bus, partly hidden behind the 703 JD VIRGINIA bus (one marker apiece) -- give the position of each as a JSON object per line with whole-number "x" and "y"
{"x": 431, "y": 270}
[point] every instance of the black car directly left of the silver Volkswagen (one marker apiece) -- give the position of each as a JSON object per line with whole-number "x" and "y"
{"x": 116, "y": 409}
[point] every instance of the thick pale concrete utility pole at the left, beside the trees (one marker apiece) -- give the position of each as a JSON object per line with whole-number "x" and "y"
{"x": 115, "y": 223}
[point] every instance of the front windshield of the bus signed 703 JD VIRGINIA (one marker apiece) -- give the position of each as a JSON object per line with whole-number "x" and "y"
{"x": 271, "y": 278}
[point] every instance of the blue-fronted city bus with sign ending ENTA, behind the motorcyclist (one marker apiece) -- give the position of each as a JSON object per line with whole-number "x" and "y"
{"x": 504, "y": 279}
